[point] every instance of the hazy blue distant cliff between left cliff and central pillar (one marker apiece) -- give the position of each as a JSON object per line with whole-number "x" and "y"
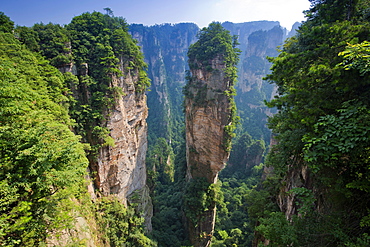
{"x": 165, "y": 47}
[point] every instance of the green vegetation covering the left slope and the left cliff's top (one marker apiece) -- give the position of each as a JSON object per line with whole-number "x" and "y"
{"x": 43, "y": 187}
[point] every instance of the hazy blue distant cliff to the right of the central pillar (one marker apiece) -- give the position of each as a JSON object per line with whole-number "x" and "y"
{"x": 252, "y": 90}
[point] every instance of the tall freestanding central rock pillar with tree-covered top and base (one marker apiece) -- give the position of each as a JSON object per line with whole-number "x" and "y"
{"x": 212, "y": 61}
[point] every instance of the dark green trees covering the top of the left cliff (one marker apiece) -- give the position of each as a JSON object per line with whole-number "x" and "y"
{"x": 100, "y": 47}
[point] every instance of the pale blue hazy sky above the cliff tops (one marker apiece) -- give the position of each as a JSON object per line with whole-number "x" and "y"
{"x": 150, "y": 12}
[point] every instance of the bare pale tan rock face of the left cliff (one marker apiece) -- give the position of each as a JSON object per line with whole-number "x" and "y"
{"x": 120, "y": 168}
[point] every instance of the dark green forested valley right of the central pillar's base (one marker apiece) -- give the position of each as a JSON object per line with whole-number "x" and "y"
{"x": 239, "y": 179}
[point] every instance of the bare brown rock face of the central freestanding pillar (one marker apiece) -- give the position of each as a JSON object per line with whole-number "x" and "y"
{"x": 207, "y": 112}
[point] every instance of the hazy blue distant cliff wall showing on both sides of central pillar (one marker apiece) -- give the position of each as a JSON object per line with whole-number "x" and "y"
{"x": 165, "y": 47}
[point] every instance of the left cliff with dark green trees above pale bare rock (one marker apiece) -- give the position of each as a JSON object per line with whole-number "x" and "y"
{"x": 111, "y": 86}
